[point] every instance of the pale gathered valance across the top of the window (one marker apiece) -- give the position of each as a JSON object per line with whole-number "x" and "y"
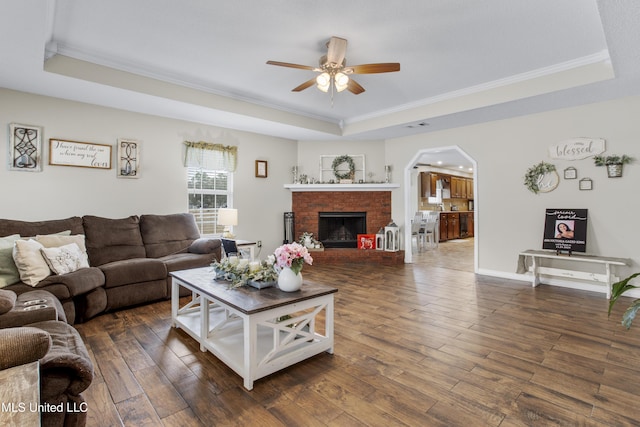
{"x": 209, "y": 156}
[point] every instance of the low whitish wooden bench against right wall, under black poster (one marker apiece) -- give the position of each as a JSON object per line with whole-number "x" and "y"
{"x": 537, "y": 269}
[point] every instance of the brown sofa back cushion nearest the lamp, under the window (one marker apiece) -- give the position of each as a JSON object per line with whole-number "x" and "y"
{"x": 168, "y": 234}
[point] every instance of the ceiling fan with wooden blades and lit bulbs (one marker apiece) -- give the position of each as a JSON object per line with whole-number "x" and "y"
{"x": 334, "y": 71}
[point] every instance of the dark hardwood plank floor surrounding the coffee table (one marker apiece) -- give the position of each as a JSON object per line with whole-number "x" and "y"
{"x": 426, "y": 344}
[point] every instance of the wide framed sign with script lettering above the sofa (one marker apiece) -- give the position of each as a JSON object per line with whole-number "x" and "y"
{"x": 79, "y": 154}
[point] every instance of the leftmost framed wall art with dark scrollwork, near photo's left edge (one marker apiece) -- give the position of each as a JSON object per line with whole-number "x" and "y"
{"x": 25, "y": 148}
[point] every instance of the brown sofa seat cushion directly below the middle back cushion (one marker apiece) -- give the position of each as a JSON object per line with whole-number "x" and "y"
{"x": 129, "y": 271}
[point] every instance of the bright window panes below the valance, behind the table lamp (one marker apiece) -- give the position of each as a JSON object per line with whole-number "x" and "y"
{"x": 209, "y": 190}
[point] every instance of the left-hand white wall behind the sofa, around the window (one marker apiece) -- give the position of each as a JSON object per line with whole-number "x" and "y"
{"x": 62, "y": 191}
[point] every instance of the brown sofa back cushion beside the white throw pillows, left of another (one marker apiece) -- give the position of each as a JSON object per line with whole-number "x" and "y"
{"x": 110, "y": 240}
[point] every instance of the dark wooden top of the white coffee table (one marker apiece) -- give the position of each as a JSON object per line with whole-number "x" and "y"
{"x": 247, "y": 299}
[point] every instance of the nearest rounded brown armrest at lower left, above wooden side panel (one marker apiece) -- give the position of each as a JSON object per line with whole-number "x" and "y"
{"x": 22, "y": 345}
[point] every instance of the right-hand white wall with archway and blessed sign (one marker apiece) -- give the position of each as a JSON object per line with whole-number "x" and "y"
{"x": 510, "y": 217}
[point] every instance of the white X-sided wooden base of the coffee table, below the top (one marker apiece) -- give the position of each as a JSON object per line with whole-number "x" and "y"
{"x": 257, "y": 344}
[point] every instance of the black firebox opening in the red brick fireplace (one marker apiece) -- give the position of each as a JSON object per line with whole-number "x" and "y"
{"x": 341, "y": 229}
